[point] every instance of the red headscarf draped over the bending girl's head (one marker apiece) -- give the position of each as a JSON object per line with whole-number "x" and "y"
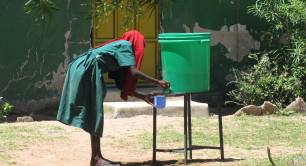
{"x": 138, "y": 44}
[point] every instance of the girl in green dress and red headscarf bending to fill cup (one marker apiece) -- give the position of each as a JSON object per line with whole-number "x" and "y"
{"x": 81, "y": 103}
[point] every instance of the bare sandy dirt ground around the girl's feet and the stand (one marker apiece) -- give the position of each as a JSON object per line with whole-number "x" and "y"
{"x": 75, "y": 151}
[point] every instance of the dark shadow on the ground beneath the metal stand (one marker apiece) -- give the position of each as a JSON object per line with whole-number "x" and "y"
{"x": 178, "y": 162}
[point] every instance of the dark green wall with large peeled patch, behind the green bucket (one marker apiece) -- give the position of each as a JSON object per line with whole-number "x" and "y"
{"x": 234, "y": 34}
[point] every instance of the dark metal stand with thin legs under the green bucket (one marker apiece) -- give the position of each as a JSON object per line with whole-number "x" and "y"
{"x": 188, "y": 147}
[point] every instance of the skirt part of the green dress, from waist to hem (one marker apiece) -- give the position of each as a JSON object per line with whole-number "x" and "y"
{"x": 81, "y": 103}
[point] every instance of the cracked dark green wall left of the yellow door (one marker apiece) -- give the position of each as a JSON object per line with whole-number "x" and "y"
{"x": 33, "y": 58}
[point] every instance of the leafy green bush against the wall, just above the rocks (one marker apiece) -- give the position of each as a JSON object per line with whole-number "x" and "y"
{"x": 263, "y": 82}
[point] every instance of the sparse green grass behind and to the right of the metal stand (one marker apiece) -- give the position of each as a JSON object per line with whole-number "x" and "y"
{"x": 246, "y": 133}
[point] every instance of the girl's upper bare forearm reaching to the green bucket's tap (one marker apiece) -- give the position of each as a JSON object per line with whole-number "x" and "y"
{"x": 140, "y": 75}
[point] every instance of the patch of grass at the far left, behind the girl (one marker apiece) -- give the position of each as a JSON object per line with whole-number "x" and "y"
{"x": 14, "y": 137}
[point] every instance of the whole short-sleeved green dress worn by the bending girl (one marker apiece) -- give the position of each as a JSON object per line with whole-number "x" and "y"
{"x": 81, "y": 103}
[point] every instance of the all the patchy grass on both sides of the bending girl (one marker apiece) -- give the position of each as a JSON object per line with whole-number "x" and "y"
{"x": 248, "y": 135}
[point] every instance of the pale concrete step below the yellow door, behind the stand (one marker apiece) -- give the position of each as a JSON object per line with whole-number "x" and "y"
{"x": 174, "y": 107}
